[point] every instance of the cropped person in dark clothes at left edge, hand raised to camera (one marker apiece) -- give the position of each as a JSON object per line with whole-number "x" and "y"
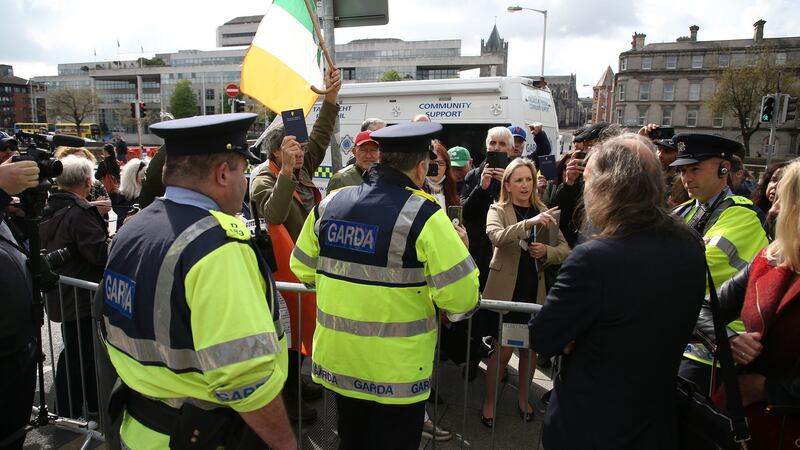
{"x": 17, "y": 328}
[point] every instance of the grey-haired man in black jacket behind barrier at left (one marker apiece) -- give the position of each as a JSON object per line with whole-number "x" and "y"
{"x": 70, "y": 221}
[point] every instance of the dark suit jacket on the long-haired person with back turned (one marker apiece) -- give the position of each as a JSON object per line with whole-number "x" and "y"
{"x": 630, "y": 305}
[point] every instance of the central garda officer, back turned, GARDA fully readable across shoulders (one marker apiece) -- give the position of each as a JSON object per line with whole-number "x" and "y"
{"x": 383, "y": 256}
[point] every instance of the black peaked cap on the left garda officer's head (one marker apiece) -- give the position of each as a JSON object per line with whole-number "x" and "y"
{"x": 201, "y": 135}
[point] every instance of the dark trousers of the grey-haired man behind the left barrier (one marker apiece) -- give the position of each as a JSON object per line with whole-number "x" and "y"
{"x": 71, "y": 381}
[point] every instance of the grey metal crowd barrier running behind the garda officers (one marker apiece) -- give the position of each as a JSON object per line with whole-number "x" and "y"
{"x": 96, "y": 425}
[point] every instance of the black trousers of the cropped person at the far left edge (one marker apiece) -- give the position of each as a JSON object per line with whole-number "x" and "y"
{"x": 17, "y": 385}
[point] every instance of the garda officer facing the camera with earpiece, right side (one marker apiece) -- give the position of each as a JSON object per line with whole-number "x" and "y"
{"x": 728, "y": 224}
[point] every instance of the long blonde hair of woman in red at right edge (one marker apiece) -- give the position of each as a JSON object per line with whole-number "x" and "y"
{"x": 786, "y": 247}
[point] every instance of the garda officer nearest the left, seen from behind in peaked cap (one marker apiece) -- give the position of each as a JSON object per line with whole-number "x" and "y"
{"x": 189, "y": 309}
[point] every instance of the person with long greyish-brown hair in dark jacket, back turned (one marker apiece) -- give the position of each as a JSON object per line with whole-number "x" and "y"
{"x": 622, "y": 309}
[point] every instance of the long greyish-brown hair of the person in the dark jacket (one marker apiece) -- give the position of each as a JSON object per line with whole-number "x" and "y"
{"x": 624, "y": 189}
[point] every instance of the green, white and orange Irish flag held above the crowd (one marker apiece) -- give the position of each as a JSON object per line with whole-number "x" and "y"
{"x": 284, "y": 59}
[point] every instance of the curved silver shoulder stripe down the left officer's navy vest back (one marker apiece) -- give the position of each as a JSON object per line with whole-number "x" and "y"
{"x": 162, "y": 311}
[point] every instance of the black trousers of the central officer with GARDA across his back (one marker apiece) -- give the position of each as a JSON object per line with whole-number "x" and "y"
{"x": 365, "y": 425}
